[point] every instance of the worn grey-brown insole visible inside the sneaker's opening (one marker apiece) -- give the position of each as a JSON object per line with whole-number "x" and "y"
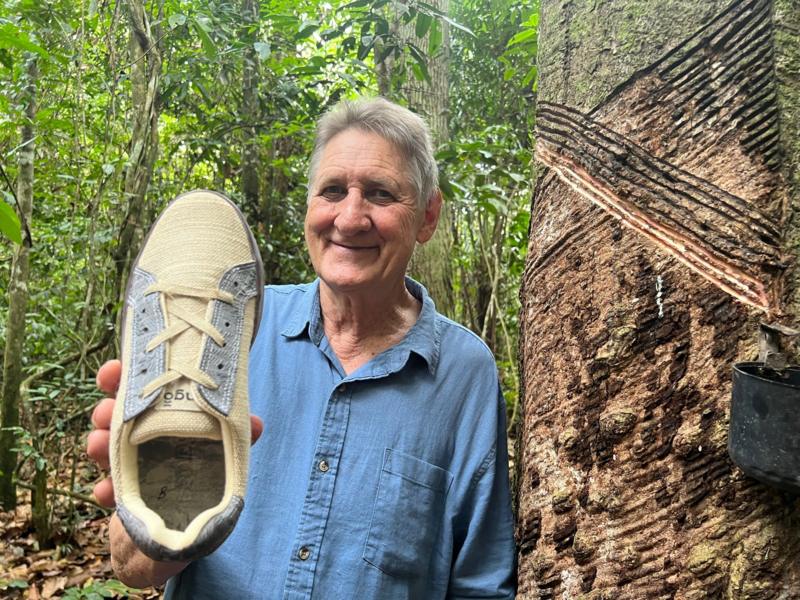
{"x": 181, "y": 477}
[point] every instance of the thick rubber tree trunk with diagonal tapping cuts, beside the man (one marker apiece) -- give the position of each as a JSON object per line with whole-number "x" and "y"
{"x": 661, "y": 228}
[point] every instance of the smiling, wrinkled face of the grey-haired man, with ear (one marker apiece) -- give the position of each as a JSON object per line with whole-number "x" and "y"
{"x": 362, "y": 220}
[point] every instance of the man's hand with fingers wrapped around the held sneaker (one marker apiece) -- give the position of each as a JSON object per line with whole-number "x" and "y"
{"x": 131, "y": 566}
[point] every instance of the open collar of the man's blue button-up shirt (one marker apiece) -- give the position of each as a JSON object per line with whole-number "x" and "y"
{"x": 422, "y": 339}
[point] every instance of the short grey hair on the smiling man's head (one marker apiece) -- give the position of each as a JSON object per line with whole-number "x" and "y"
{"x": 399, "y": 126}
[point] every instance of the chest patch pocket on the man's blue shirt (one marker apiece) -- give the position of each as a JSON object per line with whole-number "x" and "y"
{"x": 407, "y": 514}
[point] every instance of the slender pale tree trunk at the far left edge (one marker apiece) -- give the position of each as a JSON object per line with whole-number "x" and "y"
{"x": 17, "y": 298}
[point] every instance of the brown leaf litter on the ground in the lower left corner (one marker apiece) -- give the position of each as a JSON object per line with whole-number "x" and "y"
{"x": 77, "y": 567}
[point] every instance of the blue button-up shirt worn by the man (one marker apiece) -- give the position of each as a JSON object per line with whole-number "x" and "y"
{"x": 388, "y": 483}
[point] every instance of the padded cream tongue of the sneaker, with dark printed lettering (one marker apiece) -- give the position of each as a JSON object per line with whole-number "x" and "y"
{"x": 175, "y": 414}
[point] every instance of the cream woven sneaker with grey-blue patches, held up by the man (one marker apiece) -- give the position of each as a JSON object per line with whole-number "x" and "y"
{"x": 180, "y": 434}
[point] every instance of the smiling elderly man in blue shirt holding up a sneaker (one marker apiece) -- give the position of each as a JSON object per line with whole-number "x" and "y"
{"x": 383, "y": 472}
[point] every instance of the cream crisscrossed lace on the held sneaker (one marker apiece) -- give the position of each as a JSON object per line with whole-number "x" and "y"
{"x": 182, "y": 320}
